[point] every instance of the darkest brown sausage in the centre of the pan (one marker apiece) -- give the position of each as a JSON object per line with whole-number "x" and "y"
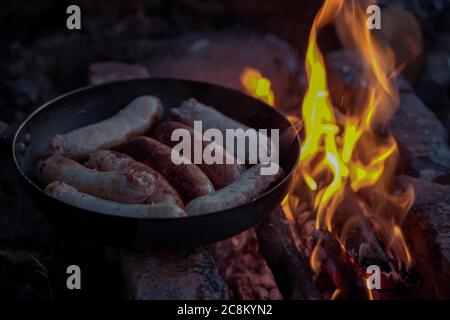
{"x": 190, "y": 181}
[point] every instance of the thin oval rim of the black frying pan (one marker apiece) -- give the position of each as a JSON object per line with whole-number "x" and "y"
{"x": 285, "y": 179}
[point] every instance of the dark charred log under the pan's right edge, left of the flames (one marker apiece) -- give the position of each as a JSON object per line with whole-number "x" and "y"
{"x": 290, "y": 269}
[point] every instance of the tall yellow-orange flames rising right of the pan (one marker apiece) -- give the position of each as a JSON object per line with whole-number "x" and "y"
{"x": 347, "y": 150}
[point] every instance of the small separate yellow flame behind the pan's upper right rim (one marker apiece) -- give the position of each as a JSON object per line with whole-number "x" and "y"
{"x": 257, "y": 85}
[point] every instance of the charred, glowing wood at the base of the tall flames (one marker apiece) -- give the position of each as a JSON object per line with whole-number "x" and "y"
{"x": 362, "y": 249}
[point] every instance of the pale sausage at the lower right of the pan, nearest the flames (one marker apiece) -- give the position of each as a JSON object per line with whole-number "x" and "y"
{"x": 249, "y": 185}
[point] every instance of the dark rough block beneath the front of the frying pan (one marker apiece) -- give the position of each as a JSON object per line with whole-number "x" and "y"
{"x": 190, "y": 275}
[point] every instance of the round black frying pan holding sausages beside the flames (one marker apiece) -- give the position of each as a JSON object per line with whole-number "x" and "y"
{"x": 92, "y": 104}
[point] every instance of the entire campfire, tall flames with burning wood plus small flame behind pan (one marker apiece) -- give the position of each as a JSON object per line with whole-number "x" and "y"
{"x": 347, "y": 165}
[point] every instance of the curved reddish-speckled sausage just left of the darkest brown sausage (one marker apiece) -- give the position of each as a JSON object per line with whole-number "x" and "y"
{"x": 106, "y": 160}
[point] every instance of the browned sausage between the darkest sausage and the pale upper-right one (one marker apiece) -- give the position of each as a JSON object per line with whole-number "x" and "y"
{"x": 220, "y": 175}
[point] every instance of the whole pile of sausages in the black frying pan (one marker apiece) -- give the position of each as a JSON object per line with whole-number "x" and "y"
{"x": 112, "y": 167}
